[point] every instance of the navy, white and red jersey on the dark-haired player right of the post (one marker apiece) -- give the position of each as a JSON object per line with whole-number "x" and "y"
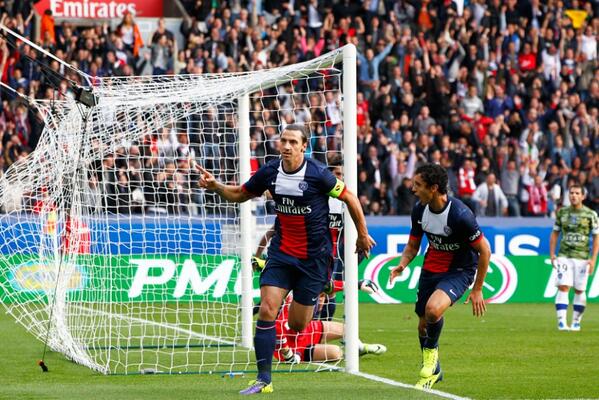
{"x": 450, "y": 233}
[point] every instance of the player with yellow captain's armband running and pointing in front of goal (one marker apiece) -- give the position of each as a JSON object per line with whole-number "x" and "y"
{"x": 299, "y": 255}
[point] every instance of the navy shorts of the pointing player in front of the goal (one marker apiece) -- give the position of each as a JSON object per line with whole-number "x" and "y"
{"x": 306, "y": 278}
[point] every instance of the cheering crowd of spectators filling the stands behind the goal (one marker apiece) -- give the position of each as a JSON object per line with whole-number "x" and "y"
{"x": 503, "y": 94}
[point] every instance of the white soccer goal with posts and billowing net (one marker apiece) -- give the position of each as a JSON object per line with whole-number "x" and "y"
{"x": 111, "y": 254}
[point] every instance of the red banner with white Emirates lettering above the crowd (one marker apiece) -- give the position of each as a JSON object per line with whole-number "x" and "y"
{"x": 100, "y": 8}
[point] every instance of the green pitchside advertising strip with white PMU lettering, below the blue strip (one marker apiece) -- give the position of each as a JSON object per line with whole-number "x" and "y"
{"x": 94, "y": 278}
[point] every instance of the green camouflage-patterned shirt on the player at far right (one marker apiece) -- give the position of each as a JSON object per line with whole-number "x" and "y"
{"x": 576, "y": 227}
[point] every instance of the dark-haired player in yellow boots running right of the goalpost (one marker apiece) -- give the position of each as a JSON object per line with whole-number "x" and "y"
{"x": 457, "y": 253}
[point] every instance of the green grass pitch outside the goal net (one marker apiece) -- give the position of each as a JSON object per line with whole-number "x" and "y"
{"x": 515, "y": 351}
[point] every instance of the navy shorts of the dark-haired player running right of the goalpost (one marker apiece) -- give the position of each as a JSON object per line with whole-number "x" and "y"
{"x": 453, "y": 283}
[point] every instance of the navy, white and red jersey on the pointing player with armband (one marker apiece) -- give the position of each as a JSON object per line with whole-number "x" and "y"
{"x": 301, "y": 202}
